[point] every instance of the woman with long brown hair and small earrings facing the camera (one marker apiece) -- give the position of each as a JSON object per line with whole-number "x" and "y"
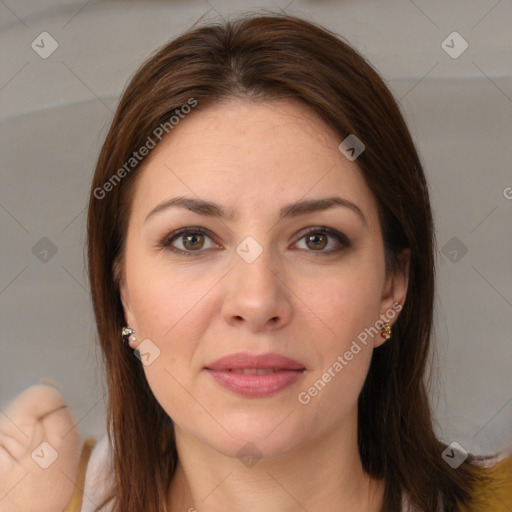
{"x": 260, "y": 236}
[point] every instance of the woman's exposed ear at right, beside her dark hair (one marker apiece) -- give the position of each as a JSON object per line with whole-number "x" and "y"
{"x": 394, "y": 292}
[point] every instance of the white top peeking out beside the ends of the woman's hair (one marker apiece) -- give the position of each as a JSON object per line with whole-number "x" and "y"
{"x": 98, "y": 475}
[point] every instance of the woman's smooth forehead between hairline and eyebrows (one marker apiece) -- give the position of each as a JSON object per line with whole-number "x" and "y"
{"x": 250, "y": 156}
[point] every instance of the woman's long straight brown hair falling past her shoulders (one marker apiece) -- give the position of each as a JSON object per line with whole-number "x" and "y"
{"x": 262, "y": 58}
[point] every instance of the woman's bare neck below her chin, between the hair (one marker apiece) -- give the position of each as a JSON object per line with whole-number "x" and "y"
{"x": 327, "y": 474}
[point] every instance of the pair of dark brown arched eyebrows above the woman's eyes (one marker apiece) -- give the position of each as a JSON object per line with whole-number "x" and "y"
{"x": 212, "y": 209}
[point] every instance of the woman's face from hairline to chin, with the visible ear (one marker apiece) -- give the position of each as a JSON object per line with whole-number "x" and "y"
{"x": 260, "y": 277}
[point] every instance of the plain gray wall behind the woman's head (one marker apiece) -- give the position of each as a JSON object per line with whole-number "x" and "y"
{"x": 55, "y": 113}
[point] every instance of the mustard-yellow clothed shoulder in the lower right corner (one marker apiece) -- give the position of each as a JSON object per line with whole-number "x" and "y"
{"x": 493, "y": 492}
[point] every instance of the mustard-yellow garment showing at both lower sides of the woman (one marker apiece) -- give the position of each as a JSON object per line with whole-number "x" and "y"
{"x": 497, "y": 497}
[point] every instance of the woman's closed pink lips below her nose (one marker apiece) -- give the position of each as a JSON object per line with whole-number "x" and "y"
{"x": 253, "y": 385}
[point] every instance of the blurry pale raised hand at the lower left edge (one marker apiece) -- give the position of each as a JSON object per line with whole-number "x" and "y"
{"x": 38, "y": 415}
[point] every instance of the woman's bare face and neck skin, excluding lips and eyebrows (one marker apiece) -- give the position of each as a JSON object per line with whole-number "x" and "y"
{"x": 296, "y": 299}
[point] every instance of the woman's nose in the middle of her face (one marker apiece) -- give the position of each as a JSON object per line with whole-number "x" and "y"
{"x": 256, "y": 294}
